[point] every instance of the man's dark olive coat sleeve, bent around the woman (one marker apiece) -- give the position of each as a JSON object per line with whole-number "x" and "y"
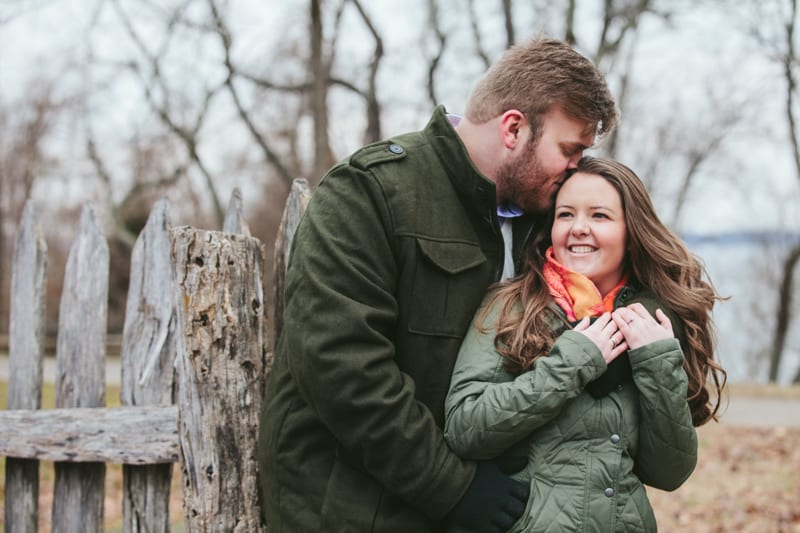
{"x": 339, "y": 322}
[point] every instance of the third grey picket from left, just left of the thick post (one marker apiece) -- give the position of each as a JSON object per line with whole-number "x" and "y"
{"x": 147, "y": 359}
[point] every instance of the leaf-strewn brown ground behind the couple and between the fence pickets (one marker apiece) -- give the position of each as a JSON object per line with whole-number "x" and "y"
{"x": 747, "y": 478}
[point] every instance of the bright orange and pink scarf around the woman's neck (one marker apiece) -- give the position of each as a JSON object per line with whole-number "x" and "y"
{"x": 574, "y": 292}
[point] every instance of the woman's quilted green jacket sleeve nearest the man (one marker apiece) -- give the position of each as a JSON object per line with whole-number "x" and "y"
{"x": 488, "y": 410}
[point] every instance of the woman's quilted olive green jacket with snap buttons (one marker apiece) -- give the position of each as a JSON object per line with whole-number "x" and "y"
{"x": 588, "y": 457}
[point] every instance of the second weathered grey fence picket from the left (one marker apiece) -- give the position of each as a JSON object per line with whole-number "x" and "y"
{"x": 80, "y": 371}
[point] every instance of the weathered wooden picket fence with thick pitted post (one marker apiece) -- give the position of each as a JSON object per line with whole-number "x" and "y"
{"x": 194, "y": 357}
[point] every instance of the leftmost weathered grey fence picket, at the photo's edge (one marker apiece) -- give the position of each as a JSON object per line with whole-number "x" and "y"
{"x": 25, "y": 352}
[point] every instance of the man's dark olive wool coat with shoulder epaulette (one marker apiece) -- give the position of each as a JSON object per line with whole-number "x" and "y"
{"x": 389, "y": 263}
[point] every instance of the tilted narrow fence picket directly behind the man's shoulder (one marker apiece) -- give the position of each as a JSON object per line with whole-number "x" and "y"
{"x": 296, "y": 204}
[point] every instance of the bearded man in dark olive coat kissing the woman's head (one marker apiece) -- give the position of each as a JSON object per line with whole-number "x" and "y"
{"x": 391, "y": 260}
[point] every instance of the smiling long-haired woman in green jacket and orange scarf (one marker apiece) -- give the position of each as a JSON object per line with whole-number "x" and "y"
{"x": 595, "y": 361}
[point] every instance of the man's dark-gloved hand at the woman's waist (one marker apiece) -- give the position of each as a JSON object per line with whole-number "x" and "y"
{"x": 493, "y": 501}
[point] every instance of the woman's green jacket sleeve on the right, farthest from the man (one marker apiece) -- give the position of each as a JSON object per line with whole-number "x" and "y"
{"x": 667, "y": 453}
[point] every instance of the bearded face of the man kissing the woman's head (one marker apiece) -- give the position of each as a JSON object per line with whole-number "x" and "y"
{"x": 531, "y": 177}
